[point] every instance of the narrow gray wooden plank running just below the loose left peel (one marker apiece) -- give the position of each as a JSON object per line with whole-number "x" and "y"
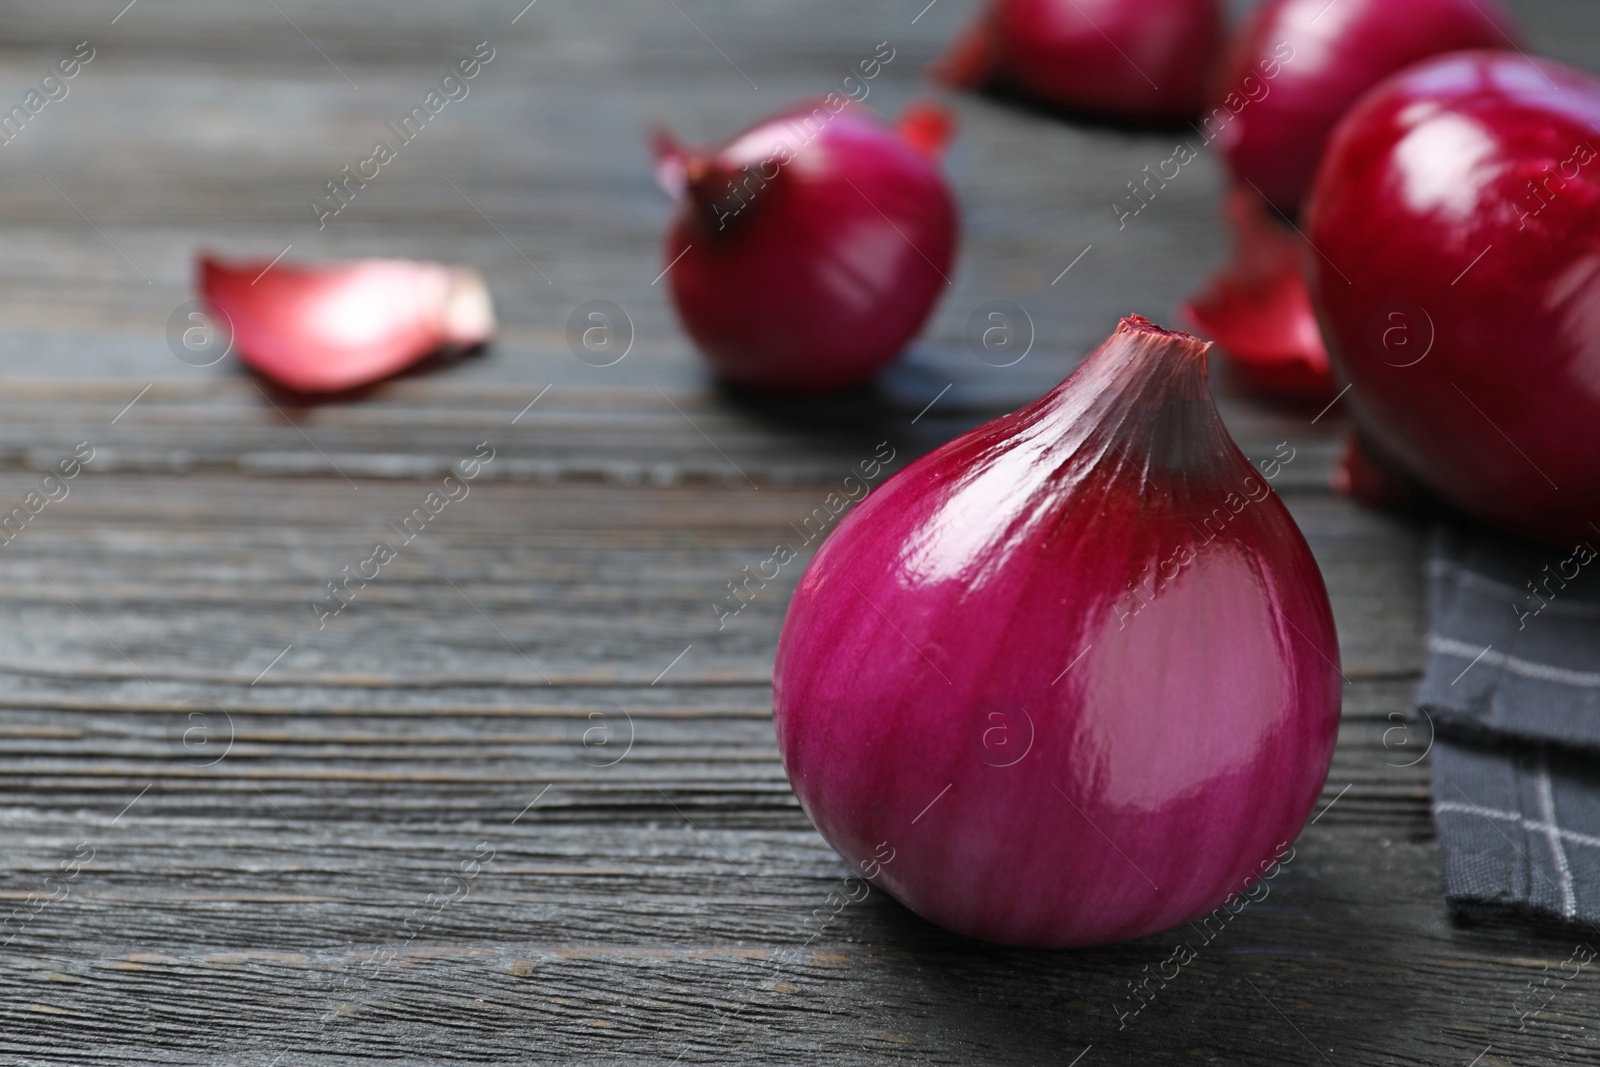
{"x": 418, "y": 428}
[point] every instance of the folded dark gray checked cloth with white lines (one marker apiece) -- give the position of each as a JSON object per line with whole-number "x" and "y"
{"x": 1513, "y": 690}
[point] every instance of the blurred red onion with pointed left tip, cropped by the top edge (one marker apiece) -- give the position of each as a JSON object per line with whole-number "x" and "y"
{"x": 1143, "y": 60}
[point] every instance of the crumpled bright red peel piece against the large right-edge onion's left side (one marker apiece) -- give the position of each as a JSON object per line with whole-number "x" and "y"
{"x": 1258, "y": 308}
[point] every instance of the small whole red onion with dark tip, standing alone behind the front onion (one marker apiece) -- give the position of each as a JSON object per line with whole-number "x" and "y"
{"x": 810, "y": 249}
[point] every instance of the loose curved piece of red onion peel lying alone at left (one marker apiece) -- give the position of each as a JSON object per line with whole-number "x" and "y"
{"x": 335, "y": 327}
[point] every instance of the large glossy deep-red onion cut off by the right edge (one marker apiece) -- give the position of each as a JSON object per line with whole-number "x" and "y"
{"x": 1458, "y": 303}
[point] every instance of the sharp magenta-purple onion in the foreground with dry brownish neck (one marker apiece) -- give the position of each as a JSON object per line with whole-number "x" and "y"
{"x": 1145, "y": 765}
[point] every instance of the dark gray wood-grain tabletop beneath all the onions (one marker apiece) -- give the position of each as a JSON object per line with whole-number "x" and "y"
{"x": 521, "y": 801}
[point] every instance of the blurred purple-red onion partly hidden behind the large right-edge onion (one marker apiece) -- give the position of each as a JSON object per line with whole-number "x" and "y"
{"x": 1338, "y": 52}
